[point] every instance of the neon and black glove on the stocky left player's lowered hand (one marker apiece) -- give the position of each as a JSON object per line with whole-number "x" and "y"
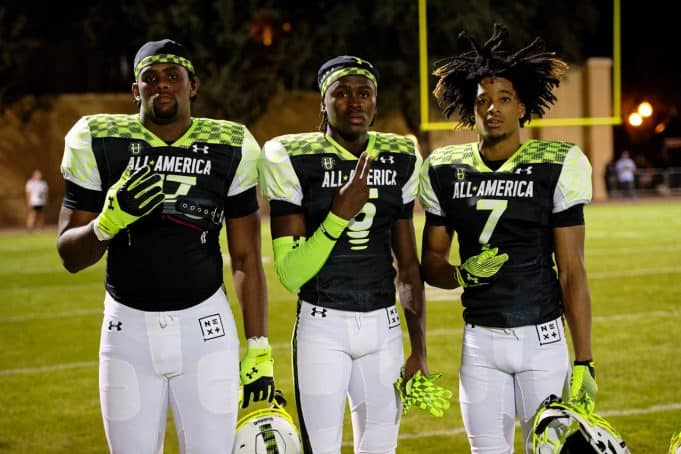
{"x": 257, "y": 374}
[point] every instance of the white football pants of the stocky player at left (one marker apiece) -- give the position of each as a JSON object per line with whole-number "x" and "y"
{"x": 188, "y": 359}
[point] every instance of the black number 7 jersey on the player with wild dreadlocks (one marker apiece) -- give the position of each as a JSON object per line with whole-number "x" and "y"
{"x": 511, "y": 208}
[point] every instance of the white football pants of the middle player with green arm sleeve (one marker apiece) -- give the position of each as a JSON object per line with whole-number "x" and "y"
{"x": 354, "y": 354}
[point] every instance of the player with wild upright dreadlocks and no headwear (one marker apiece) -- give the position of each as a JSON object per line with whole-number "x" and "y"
{"x": 513, "y": 206}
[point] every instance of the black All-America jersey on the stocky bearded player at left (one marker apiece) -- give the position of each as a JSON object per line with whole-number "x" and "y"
{"x": 171, "y": 258}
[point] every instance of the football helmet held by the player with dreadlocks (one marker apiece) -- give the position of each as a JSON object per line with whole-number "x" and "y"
{"x": 560, "y": 427}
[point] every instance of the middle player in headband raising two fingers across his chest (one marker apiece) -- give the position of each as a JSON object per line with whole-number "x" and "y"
{"x": 341, "y": 207}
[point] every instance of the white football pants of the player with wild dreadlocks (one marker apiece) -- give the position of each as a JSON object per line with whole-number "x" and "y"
{"x": 507, "y": 373}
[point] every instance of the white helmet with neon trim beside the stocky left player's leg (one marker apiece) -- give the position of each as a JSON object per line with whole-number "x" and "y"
{"x": 267, "y": 431}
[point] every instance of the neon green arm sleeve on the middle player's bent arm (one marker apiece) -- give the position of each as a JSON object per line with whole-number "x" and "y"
{"x": 298, "y": 261}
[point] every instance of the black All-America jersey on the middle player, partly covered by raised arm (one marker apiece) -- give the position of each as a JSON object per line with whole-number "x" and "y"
{"x": 302, "y": 172}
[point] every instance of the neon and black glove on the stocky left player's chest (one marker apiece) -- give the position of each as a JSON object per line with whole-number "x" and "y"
{"x": 134, "y": 195}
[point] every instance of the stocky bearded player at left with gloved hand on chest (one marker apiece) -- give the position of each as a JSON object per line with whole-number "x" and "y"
{"x": 154, "y": 189}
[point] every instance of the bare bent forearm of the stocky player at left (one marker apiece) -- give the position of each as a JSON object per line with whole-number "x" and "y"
{"x": 79, "y": 248}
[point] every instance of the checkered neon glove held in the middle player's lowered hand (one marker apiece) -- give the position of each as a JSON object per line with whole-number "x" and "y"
{"x": 422, "y": 392}
